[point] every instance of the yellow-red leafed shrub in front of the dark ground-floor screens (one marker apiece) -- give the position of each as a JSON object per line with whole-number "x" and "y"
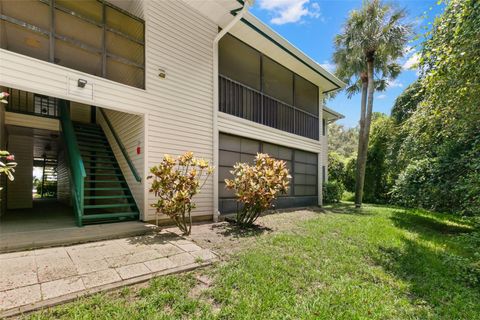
{"x": 257, "y": 186}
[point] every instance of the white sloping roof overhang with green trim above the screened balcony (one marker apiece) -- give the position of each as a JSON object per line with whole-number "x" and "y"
{"x": 261, "y": 37}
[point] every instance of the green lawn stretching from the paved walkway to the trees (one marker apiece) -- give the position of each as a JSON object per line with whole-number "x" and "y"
{"x": 375, "y": 263}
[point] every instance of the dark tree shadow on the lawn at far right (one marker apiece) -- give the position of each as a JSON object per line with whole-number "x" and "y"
{"x": 440, "y": 274}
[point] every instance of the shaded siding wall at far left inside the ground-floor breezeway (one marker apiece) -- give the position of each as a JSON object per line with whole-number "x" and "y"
{"x": 19, "y": 191}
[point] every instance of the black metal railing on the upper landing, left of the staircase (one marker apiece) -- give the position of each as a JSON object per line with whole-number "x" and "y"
{"x": 31, "y": 103}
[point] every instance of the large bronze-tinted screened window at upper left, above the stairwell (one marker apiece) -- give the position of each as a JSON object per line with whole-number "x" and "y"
{"x": 92, "y": 36}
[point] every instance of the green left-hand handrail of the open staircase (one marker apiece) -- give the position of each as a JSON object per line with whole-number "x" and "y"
{"x": 77, "y": 169}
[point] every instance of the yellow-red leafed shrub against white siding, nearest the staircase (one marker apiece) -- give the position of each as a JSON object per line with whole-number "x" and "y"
{"x": 175, "y": 182}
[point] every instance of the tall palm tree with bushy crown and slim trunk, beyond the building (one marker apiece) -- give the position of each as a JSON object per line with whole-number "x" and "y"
{"x": 372, "y": 39}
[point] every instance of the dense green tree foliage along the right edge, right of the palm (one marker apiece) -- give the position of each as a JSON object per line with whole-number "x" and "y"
{"x": 441, "y": 149}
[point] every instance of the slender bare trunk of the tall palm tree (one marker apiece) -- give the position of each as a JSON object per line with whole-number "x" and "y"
{"x": 362, "y": 157}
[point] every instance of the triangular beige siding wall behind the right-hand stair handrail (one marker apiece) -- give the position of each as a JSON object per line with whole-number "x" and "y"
{"x": 130, "y": 130}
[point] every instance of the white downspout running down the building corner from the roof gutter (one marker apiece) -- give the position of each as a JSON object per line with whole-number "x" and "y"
{"x": 224, "y": 31}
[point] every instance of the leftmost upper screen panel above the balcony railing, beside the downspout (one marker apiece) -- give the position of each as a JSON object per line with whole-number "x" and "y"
{"x": 239, "y": 62}
